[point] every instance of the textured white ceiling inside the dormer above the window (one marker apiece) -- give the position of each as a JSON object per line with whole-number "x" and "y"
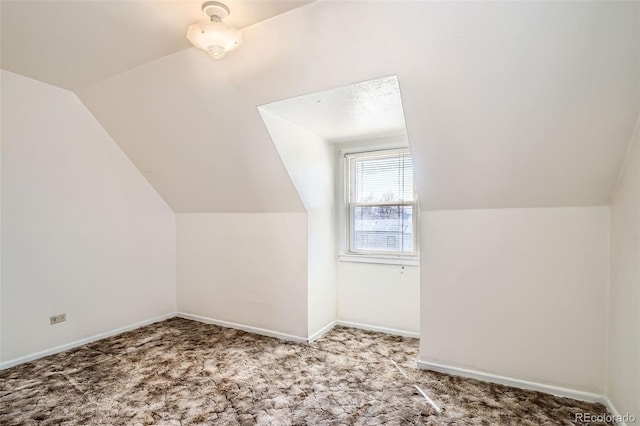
{"x": 357, "y": 111}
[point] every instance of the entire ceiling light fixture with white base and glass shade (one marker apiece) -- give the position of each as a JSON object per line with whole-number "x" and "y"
{"x": 214, "y": 37}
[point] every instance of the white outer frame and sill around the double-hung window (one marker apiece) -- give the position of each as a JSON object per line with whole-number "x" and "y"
{"x": 344, "y": 215}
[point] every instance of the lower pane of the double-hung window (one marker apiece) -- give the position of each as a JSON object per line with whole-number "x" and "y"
{"x": 383, "y": 229}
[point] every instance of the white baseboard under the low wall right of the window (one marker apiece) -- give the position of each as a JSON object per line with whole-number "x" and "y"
{"x": 516, "y": 383}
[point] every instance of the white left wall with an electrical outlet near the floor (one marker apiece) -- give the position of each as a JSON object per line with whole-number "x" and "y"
{"x": 83, "y": 232}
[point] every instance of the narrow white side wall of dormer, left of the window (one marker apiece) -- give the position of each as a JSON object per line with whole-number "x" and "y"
{"x": 311, "y": 163}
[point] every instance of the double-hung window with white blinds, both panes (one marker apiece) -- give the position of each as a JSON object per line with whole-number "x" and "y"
{"x": 382, "y": 205}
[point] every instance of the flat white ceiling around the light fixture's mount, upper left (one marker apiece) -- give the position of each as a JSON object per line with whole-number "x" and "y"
{"x": 72, "y": 44}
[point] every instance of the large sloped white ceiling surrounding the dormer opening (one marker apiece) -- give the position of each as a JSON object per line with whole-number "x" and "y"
{"x": 507, "y": 104}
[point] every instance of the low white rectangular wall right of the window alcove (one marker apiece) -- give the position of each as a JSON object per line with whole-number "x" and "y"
{"x": 518, "y": 293}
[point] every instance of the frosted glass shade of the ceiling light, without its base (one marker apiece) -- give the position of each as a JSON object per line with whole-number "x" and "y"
{"x": 215, "y": 38}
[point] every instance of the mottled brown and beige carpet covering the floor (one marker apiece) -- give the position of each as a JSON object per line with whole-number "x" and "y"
{"x": 180, "y": 372}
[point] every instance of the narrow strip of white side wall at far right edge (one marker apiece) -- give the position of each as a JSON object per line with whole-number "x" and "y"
{"x": 623, "y": 381}
